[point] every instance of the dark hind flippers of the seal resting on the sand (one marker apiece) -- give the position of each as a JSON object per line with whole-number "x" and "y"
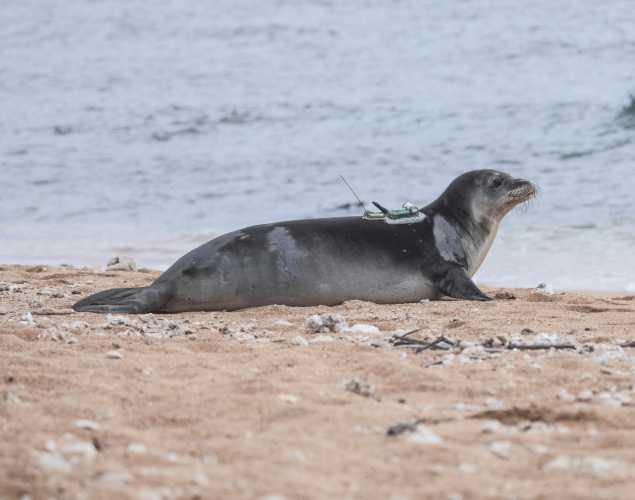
{"x": 125, "y": 300}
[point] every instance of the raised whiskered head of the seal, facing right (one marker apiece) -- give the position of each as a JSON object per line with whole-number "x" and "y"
{"x": 485, "y": 195}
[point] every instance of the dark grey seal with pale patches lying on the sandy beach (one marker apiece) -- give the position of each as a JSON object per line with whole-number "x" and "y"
{"x": 328, "y": 261}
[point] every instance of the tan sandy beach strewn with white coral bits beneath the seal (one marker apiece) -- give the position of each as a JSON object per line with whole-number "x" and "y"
{"x": 253, "y": 404}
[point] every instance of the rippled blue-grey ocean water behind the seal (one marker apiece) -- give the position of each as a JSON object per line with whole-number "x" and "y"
{"x": 146, "y": 127}
